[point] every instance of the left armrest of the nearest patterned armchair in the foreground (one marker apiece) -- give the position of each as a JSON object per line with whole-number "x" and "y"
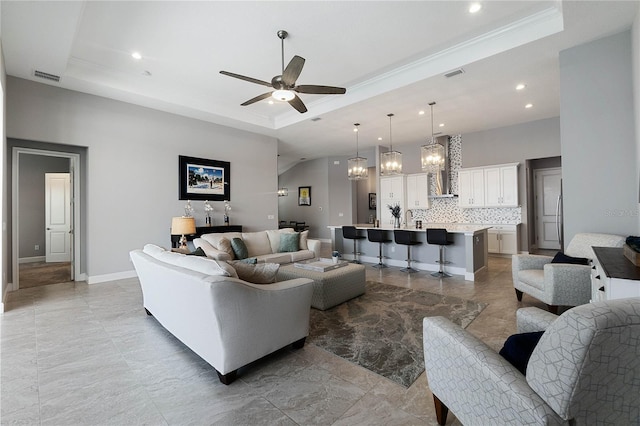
{"x": 474, "y": 382}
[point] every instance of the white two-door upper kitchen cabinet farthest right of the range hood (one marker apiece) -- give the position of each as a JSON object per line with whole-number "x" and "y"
{"x": 501, "y": 186}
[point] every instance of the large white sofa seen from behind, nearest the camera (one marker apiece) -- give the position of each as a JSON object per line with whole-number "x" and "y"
{"x": 226, "y": 321}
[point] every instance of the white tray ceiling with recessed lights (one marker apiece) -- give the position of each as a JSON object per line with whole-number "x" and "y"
{"x": 390, "y": 56}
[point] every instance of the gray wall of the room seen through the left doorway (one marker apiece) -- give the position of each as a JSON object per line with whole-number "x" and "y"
{"x": 32, "y": 197}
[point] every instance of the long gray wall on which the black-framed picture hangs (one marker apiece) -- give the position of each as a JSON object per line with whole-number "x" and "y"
{"x": 132, "y": 170}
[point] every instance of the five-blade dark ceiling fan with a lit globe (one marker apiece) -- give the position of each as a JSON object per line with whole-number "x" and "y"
{"x": 284, "y": 85}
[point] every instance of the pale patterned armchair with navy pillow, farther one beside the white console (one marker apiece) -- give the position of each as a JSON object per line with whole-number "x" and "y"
{"x": 560, "y": 284}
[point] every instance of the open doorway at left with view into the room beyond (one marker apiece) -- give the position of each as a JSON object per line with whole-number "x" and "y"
{"x": 45, "y": 217}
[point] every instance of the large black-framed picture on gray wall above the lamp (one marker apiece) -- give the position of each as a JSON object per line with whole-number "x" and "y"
{"x": 202, "y": 179}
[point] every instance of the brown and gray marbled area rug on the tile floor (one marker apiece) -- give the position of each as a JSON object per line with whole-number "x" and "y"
{"x": 382, "y": 329}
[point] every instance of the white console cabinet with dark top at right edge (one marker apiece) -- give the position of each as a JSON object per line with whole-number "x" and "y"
{"x": 613, "y": 276}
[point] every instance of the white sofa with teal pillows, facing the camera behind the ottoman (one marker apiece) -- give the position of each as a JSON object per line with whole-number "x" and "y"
{"x": 262, "y": 245}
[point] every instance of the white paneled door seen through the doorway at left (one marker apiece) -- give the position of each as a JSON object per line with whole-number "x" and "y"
{"x": 58, "y": 217}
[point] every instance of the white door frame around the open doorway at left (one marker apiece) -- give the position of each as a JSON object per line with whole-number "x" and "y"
{"x": 74, "y": 171}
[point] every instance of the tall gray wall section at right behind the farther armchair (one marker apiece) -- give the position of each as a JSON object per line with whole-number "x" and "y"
{"x": 598, "y": 138}
